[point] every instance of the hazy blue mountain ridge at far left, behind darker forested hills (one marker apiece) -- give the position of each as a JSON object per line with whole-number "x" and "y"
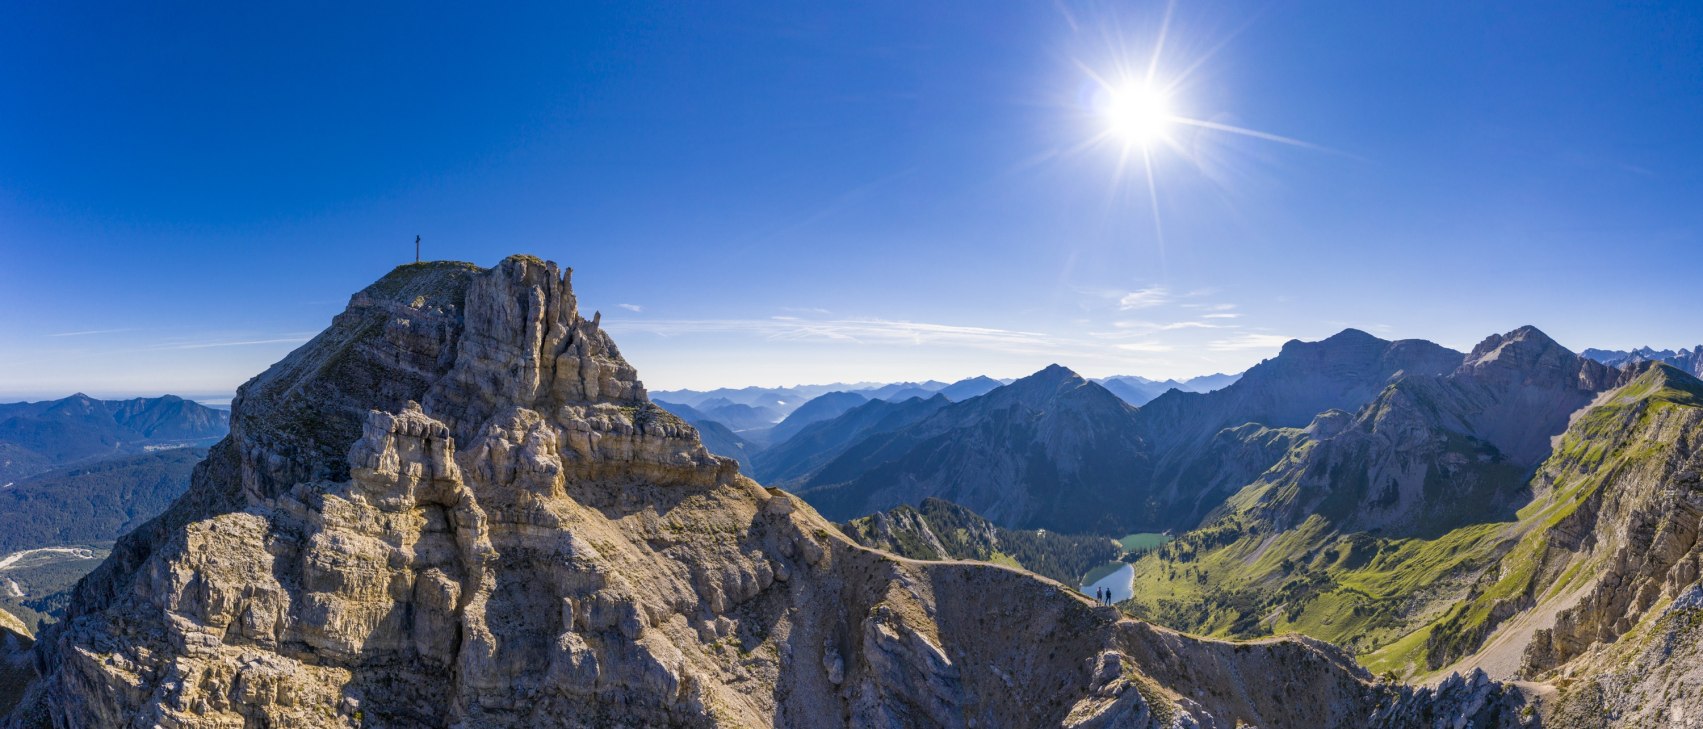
{"x": 40, "y": 437}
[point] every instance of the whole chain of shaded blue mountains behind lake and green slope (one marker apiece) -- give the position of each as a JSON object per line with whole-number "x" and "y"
{"x": 1053, "y": 451}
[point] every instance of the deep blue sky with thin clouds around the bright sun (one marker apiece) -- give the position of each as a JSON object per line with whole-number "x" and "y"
{"x": 786, "y": 193}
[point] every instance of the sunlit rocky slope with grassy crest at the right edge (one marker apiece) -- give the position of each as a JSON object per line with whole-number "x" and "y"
{"x": 1600, "y": 594}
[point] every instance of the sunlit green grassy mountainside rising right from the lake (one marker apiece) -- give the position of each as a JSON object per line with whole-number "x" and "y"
{"x": 1287, "y": 554}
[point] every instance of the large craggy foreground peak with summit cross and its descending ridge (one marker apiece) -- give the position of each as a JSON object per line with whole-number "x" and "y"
{"x": 459, "y": 508}
